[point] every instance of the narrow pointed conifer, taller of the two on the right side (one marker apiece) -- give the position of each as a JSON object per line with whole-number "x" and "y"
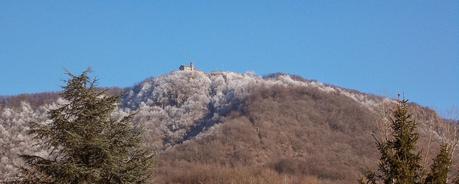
{"x": 399, "y": 161}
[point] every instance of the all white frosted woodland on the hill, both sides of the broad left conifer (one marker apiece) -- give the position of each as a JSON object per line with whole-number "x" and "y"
{"x": 172, "y": 108}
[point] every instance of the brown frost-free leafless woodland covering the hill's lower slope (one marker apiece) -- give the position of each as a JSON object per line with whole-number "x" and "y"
{"x": 295, "y": 132}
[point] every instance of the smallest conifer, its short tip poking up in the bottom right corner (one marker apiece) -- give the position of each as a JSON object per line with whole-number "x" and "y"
{"x": 440, "y": 167}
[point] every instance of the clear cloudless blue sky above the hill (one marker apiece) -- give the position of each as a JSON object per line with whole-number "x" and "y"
{"x": 379, "y": 47}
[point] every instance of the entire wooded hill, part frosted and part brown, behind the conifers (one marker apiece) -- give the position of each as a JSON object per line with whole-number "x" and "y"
{"x": 226, "y": 126}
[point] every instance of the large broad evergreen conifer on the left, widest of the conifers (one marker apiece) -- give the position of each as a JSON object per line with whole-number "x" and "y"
{"x": 86, "y": 144}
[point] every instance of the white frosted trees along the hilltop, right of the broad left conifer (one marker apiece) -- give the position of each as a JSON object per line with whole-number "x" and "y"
{"x": 171, "y": 105}
